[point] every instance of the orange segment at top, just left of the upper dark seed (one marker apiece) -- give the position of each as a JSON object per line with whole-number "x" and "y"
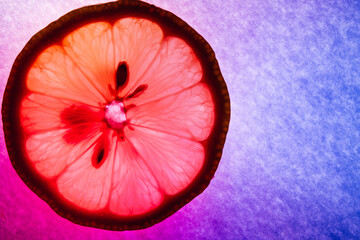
{"x": 92, "y": 50}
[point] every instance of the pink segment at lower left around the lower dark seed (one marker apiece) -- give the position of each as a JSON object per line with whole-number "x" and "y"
{"x": 86, "y": 186}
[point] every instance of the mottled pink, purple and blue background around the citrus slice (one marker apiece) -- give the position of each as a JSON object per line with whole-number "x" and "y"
{"x": 291, "y": 163}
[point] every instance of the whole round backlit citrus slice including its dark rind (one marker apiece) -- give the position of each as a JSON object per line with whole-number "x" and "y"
{"x": 116, "y": 115}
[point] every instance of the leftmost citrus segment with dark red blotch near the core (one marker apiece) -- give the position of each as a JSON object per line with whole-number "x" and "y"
{"x": 42, "y": 113}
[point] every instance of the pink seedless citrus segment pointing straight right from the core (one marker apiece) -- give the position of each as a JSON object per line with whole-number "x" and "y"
{"x": 188, "y": 114}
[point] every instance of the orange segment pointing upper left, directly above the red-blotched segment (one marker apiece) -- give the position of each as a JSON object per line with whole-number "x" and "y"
{"x": 54, "y": 74}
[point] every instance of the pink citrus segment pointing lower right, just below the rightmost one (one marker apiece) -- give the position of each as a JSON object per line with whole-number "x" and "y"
{"x": 172, "y": 160}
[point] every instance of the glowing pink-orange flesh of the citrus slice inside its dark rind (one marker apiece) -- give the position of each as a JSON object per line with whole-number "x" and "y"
{"x": 118, "y": 146}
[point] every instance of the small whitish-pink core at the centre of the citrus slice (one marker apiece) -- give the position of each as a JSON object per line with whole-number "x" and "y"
{"x": 115, "y": 114}
